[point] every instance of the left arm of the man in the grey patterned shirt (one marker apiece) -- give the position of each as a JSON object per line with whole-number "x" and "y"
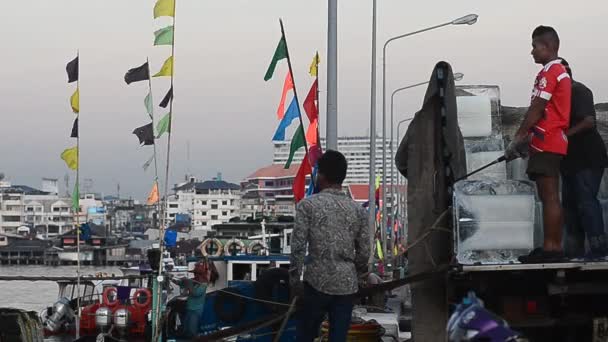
{"x": 299, "y": 239}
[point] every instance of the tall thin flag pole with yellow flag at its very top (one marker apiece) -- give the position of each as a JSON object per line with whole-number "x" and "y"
{"x": 161, "y": 232}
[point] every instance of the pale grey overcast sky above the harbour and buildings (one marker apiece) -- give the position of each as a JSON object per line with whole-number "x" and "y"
{"x": 222, "y": 107}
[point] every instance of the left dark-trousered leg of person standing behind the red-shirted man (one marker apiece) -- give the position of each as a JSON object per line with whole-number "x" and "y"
{"x": 574, "y": 239}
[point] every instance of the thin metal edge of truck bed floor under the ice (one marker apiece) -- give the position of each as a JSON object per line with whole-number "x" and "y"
{"x": 583, "y": 266}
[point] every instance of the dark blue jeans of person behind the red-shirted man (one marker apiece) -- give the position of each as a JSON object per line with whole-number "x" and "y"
{"x": 583, "y": 213}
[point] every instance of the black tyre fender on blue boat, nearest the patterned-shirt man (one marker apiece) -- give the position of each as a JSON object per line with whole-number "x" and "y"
{"x": 273, "y": 286}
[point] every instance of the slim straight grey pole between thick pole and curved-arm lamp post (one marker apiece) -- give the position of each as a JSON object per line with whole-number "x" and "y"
{"x": 372, "y": 134}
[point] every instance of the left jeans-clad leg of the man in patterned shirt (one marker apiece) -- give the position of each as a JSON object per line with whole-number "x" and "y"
{"x": 311, "y": 311}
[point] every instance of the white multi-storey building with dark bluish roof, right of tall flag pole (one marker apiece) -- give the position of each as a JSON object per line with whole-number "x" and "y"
{"x": 207, "y": 203}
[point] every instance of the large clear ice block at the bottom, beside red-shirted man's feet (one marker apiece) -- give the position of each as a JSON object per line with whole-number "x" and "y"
{"x": 494, "y": 220}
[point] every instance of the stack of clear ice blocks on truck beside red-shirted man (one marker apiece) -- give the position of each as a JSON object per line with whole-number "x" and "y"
{"x": 493, "y": 216}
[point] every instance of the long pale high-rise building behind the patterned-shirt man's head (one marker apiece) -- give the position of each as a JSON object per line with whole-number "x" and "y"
{"x": 355, "y": 149}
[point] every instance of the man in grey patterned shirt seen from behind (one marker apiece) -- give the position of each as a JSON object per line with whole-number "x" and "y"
{"x": 334, "y": 229}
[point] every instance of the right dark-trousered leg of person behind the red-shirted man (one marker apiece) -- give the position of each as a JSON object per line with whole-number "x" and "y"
{"x": 589, "y": 208}
